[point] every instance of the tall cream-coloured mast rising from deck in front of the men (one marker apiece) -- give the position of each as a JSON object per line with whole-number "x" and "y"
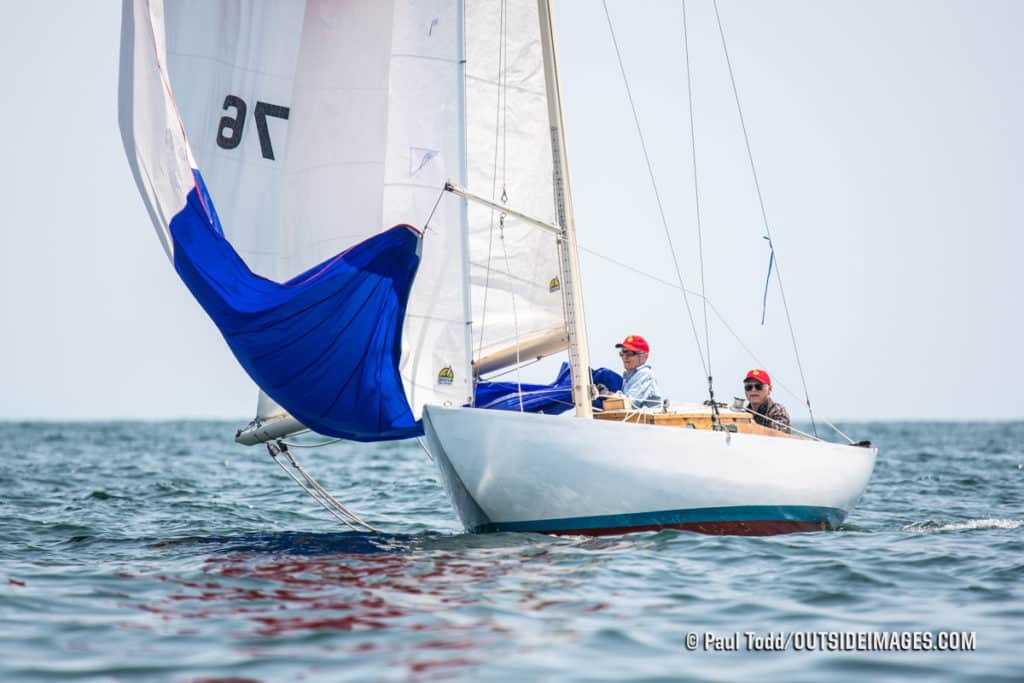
{"x": 572, "y": 294}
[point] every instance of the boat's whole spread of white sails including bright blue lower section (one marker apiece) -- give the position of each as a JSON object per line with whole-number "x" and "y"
{"x": 278, "y": 143}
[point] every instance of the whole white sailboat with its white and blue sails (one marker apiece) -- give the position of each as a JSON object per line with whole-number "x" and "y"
{"x": 371, "y": 201}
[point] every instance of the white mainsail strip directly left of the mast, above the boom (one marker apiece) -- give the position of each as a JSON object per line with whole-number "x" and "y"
{"x": 517, "y": 288}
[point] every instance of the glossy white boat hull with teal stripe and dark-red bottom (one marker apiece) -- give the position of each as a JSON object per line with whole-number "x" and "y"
{"x": 527, "y": 473}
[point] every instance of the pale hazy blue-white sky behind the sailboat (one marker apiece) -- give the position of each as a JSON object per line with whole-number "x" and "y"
{"x": 887, "y": 141}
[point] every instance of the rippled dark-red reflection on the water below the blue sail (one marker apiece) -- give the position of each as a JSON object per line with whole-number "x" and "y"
{"x": 345, "y": 593}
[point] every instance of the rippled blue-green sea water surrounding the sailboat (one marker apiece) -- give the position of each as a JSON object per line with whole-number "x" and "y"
{"x": 165, "y": 552}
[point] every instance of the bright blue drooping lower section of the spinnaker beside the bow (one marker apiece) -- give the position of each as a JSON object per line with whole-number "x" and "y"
{"x": 326, "y": 345}
